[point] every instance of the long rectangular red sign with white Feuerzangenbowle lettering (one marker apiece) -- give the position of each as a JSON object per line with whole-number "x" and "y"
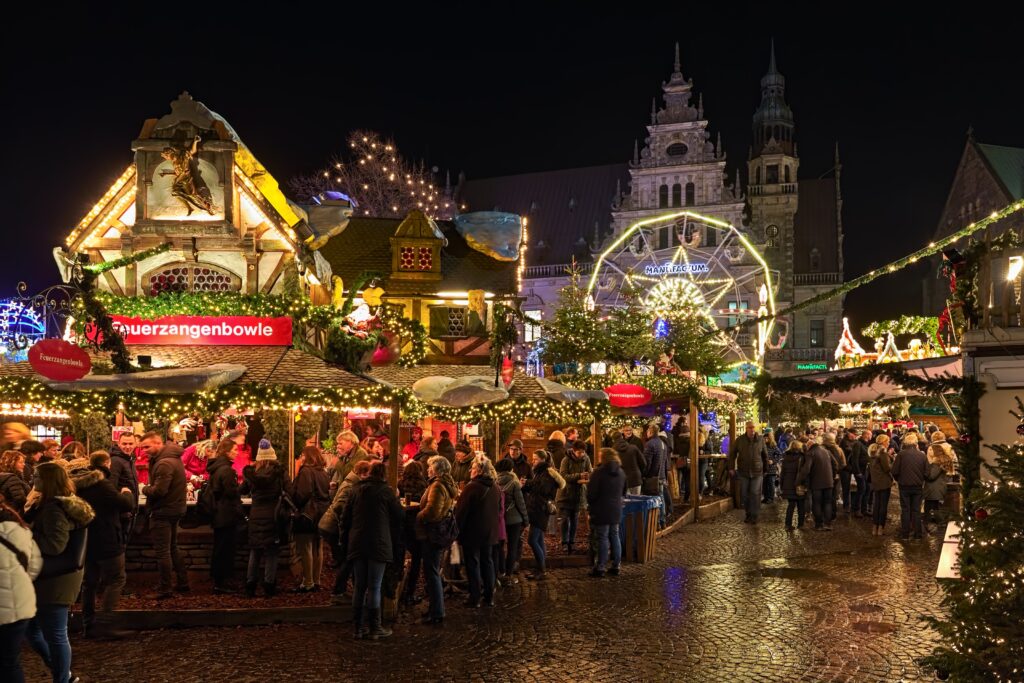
{"x": 206, "y": 331}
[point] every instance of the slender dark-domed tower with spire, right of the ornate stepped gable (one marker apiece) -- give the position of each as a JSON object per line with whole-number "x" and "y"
{"x": 773, "y": 178}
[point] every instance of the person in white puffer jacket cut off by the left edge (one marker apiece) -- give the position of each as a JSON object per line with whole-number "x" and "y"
{"x": 21, "y": 563}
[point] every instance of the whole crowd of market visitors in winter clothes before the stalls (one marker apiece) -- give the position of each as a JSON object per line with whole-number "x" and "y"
{"x": 66, "y": 517}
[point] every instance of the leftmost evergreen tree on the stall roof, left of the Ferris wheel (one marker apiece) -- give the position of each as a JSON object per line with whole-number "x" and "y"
{"x": 574, "y": 334}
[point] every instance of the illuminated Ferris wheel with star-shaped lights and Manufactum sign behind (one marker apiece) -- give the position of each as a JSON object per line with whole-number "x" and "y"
{"x": 685, "y": 262}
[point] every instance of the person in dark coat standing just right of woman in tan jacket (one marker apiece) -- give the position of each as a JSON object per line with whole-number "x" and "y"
{"x": 477, "y": 513}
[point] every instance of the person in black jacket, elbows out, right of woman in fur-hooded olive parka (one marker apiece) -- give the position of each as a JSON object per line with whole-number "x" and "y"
{"x": 105, "y": 553}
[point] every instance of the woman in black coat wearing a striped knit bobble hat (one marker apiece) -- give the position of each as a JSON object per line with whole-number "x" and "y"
{"x": 265, "y": 482}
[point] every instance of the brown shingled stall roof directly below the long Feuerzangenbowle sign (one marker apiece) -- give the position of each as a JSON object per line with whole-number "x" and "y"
{"x": 265, "y": 365}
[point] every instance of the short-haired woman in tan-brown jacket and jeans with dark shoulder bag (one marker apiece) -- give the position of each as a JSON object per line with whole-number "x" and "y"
{"x": 437, "y": 503}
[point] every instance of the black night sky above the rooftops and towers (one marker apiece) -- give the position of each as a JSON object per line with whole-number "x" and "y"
{"x": 503, "y": 90}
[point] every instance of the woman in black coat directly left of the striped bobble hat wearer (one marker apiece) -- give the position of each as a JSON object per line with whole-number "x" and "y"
{"x": 227, "y": 515}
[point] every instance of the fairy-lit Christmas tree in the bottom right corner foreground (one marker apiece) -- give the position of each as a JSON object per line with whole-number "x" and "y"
{"x": 984, "y": 638}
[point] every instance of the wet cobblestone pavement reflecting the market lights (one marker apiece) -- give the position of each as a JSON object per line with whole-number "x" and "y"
{"x": 722, "y": 602}
